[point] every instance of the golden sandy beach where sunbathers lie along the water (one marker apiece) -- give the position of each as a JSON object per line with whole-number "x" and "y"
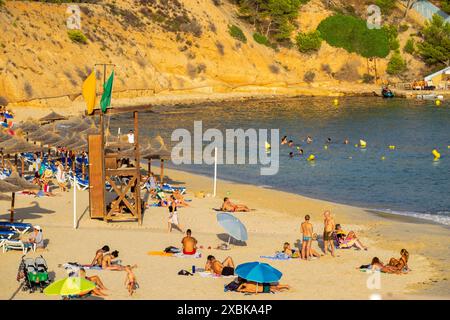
{"x": 276, "y": 219}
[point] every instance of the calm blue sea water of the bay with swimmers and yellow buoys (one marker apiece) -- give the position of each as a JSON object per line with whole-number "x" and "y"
{"x": 407, "y": 182}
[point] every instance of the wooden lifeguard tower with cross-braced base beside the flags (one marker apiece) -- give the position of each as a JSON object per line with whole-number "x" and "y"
{"x": 103, "y": 169}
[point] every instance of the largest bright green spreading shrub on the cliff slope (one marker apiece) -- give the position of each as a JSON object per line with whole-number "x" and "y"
{"x": 352, "y": 34}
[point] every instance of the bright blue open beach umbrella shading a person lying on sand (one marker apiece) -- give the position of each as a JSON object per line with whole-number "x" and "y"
{"x": 258, "y": 272}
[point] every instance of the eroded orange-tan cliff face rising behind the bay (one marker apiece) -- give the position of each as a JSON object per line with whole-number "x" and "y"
{"x": 160, "y": 46}
